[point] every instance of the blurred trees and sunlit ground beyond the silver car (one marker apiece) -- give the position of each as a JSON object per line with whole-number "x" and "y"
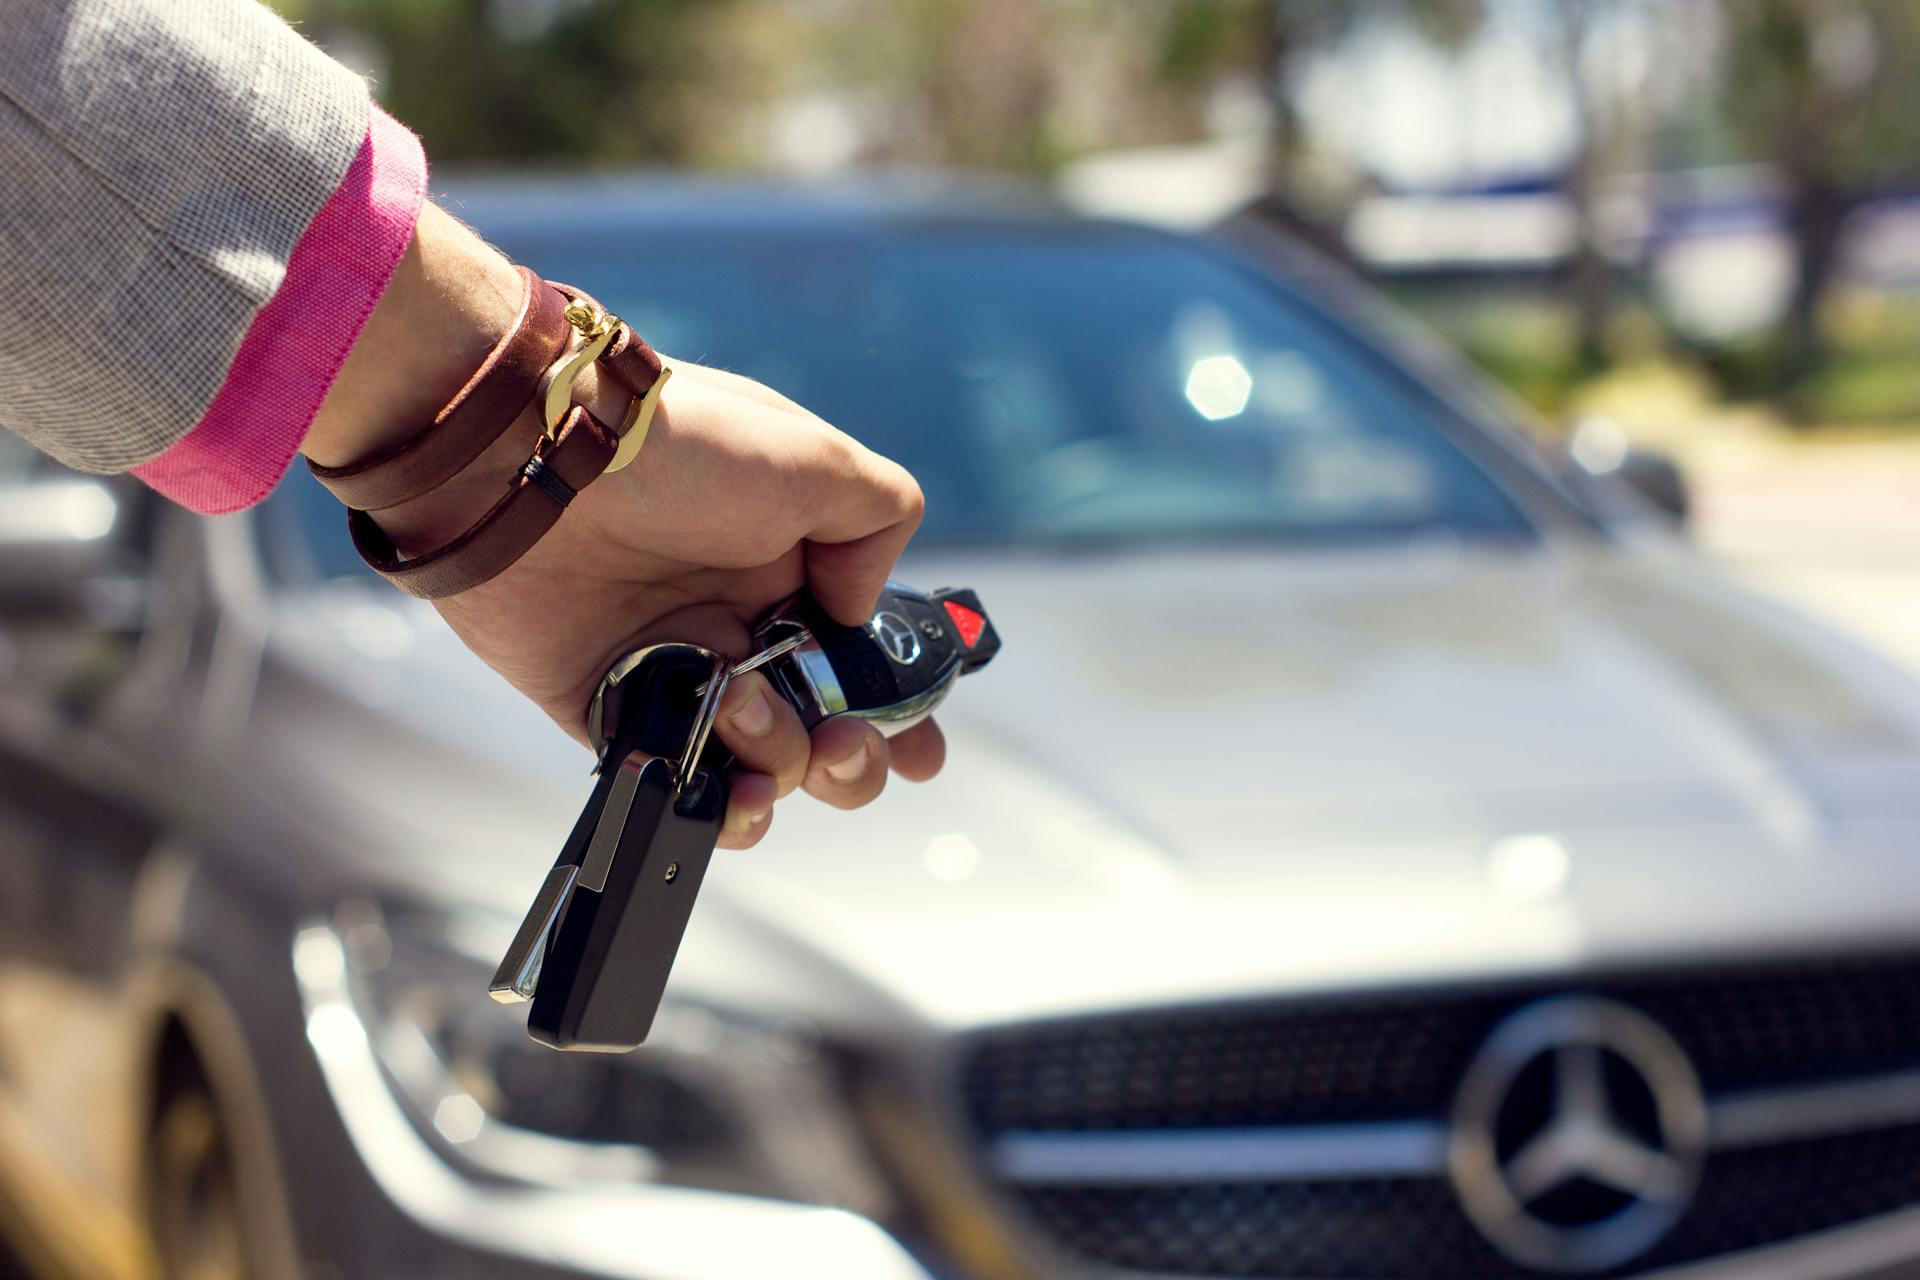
{"x": 1694, "y": 218}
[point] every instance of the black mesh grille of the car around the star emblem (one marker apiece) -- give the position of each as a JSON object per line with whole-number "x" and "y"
{"x": 1381, "y": 1060}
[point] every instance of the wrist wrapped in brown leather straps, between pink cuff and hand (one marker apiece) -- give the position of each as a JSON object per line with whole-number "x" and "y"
{"x": 439, "y": 433}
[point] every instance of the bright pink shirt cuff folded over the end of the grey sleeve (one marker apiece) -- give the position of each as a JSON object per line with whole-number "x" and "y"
{"x": 297, "y": 344}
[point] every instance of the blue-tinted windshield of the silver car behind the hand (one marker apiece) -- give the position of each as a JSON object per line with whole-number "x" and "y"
{"x": 1047, "y": 383}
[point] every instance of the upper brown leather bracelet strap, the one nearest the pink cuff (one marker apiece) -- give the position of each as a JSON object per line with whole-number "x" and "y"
{"x": 491, "y": 402}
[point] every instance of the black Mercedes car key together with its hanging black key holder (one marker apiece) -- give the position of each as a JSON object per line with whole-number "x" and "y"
{"x": 600, "y": 941}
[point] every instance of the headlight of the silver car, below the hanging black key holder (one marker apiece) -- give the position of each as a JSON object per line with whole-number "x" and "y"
{"x": 713, "y": 1101}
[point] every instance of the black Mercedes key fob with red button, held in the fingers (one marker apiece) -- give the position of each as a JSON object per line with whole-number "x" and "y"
{"x": 894, "y": 671}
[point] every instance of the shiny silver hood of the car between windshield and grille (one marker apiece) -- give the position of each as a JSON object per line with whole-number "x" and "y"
{"x": 1195, "y": 776}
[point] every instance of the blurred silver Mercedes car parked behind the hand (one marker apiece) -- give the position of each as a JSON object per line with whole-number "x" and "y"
{"x": 1380, "y": 853}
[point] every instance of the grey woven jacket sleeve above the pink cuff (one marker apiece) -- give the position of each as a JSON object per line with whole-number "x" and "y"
{"x": 160, "y": 162}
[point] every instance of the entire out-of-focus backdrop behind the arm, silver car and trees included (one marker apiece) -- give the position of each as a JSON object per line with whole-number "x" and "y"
{"x": 1500, "y": 891}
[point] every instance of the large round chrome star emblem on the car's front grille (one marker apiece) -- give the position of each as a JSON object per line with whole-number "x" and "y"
{"x": 1579, "y": 1135}
